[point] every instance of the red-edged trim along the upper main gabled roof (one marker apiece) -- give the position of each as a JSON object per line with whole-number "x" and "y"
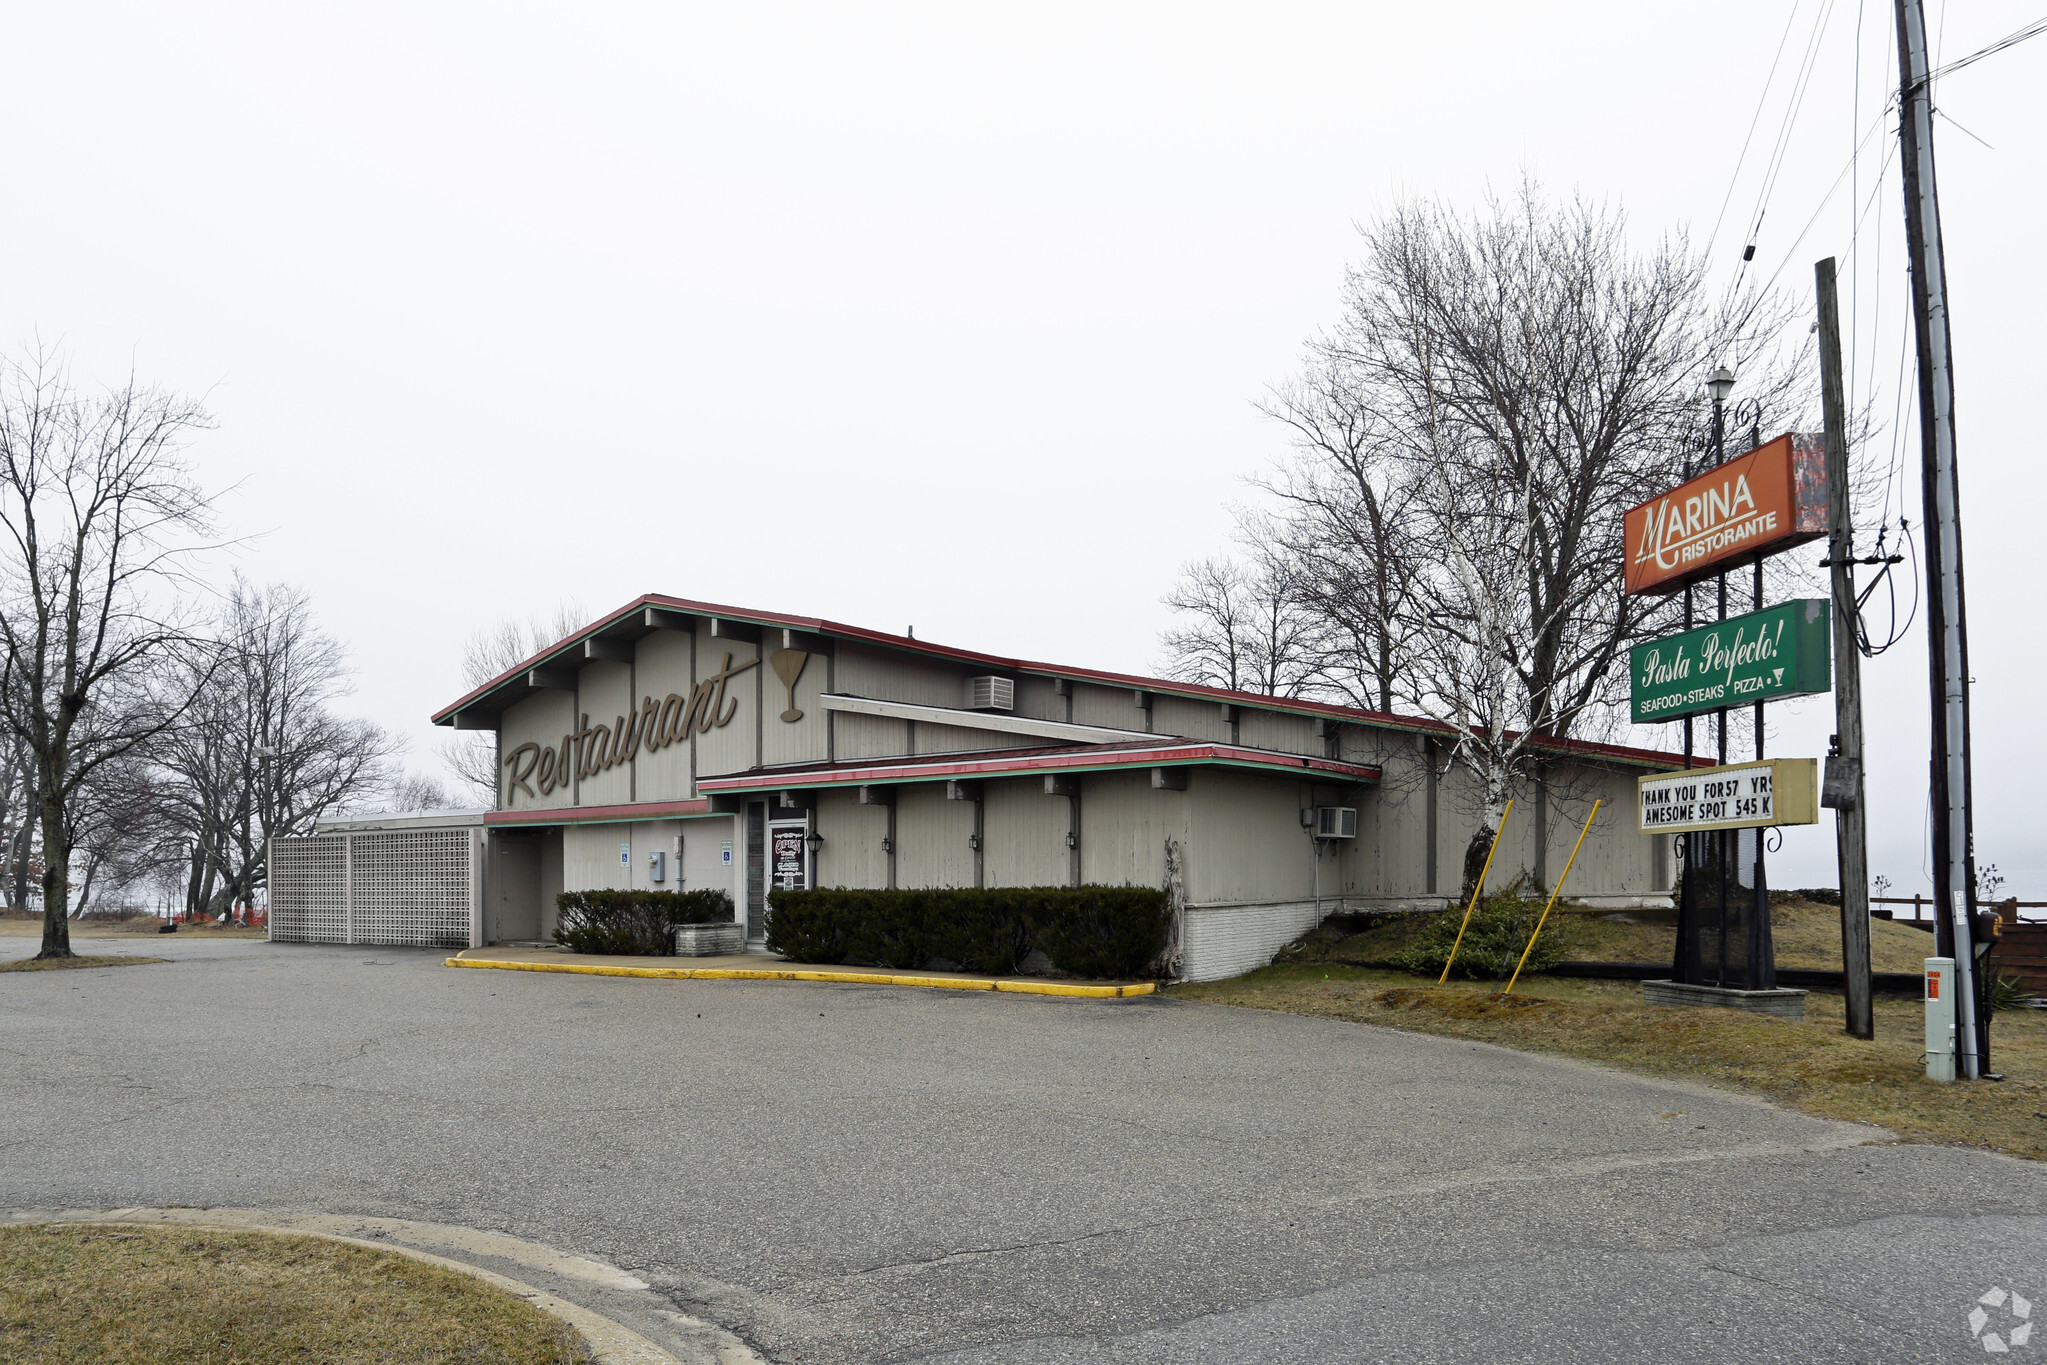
{"x": 1424, "y": 725}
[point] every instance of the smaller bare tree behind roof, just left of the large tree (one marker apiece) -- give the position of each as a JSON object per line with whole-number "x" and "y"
{"x": 1250, "y": 625}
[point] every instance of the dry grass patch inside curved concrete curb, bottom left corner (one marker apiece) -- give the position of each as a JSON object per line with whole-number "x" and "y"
{"x": 97, "y": 1294}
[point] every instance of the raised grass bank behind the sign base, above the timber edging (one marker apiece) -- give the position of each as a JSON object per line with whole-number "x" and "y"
{"x": 1804, "y": 934}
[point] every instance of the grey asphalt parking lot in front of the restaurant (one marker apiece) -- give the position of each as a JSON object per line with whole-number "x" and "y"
{"x": 857, "y": 1174}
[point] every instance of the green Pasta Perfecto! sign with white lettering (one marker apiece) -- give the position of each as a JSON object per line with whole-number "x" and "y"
{"x": 1761, "y": 658}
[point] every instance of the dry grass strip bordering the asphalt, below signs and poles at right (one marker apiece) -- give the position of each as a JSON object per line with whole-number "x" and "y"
{"x": 1813, "y": 1067}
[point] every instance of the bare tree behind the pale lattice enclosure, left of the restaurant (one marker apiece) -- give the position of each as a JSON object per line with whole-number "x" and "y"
{"x": 263, "y": 752}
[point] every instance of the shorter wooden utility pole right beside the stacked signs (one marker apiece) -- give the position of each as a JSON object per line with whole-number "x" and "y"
{"x": 1845, "y": 762}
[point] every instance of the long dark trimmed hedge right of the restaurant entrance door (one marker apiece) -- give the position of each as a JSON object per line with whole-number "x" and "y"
{"x": 1084, "y": 930}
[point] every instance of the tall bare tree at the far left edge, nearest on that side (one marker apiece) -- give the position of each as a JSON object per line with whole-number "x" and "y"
{"x": 99, "y": 515}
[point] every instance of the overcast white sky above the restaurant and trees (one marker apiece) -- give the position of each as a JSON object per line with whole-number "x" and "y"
{"x": 941, "y": 316}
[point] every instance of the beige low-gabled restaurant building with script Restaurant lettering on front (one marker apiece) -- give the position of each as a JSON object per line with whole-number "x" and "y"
{"x": 681, "y": 746}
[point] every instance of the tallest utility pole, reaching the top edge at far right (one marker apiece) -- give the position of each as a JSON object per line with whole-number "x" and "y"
{"x": 1948, "y": 640}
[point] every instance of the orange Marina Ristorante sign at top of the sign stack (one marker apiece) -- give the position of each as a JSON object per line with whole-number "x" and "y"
{"x": 1751, "y": 507}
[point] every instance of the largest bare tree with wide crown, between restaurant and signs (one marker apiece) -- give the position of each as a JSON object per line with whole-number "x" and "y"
{"x": 1499, "y": 390}
